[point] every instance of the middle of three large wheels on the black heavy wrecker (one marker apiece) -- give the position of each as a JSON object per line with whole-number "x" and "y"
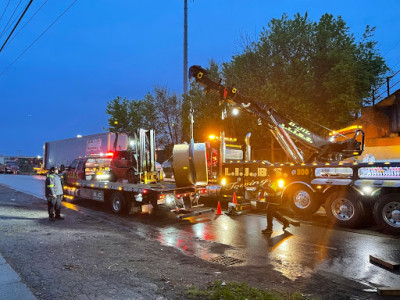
{"x": 344, "y": 209}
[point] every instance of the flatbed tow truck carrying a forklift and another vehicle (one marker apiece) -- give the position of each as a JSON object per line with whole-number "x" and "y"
{"x": 89, "y": 180}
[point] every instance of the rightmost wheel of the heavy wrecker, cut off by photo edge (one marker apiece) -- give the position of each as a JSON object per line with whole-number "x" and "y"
{"x": 387, "y": 213}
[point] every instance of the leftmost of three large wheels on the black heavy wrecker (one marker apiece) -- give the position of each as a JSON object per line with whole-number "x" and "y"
{"x": 302, "y": 200}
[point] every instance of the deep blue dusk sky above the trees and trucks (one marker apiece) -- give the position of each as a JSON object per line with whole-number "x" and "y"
{"x": 102, "y": 49}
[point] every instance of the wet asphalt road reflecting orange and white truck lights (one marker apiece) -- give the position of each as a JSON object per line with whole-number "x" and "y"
{"x": 297, "y": 252}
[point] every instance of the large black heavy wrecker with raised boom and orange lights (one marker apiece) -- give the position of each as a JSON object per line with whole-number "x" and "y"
{"x": 350, "y": 191}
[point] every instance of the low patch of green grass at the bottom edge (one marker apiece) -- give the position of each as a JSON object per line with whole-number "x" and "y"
{"x": 237, "y": 291}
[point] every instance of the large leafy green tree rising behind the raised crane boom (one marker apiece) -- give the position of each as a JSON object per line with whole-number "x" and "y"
{"x": 309, "y": 70}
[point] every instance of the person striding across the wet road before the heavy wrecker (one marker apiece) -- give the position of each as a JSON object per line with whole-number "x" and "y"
{"x": 273, "y": 204}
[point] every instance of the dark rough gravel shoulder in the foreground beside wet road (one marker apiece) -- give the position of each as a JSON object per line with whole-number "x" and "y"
{"x": 85, "y": 257}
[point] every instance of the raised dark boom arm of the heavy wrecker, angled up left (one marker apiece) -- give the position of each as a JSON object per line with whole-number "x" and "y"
{"x": 282, "y": 128}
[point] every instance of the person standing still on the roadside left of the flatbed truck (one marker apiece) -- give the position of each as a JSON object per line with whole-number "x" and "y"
{"x": 54, "y": 194}
